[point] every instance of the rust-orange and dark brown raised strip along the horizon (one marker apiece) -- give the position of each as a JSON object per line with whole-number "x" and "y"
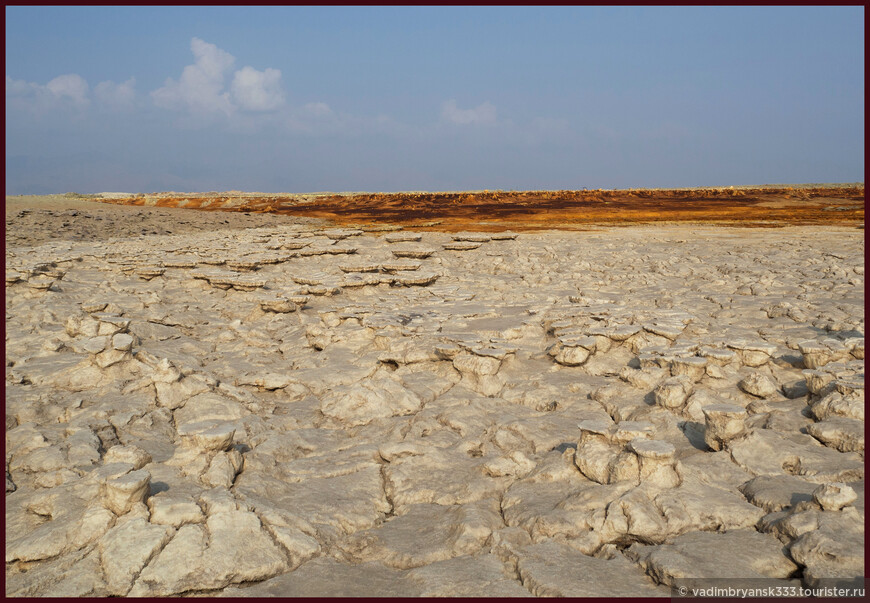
{"x": 538, "y": 210}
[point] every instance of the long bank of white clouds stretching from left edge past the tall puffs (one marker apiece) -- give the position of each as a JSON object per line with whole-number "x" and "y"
{"x": 247, "y": 99}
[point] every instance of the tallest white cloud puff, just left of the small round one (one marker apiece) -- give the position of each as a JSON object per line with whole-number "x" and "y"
{"x": 200, "y": 87}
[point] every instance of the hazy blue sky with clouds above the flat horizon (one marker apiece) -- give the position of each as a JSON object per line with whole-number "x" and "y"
{"x": 297, "y": 99}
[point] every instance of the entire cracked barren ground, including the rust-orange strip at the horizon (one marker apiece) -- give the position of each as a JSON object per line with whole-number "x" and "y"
{"x": 574, "y": 393}
